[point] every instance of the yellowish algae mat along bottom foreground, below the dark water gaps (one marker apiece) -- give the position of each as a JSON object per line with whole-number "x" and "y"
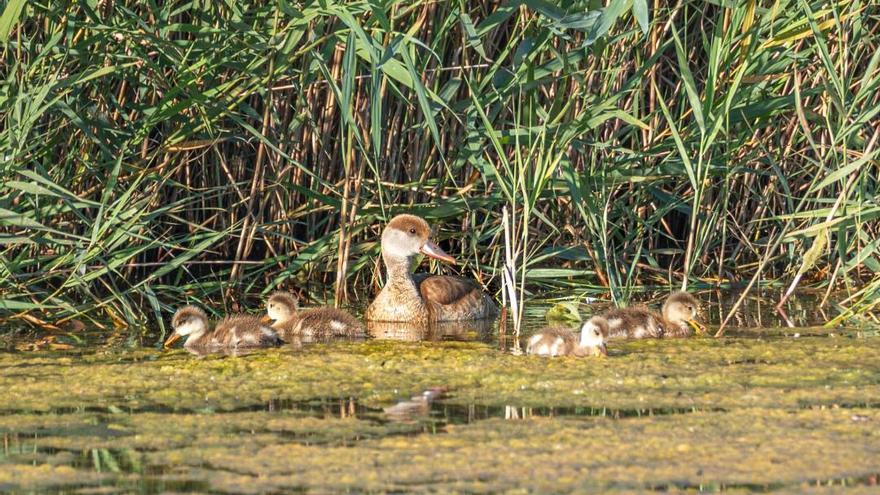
{"x": 552, "y": 455}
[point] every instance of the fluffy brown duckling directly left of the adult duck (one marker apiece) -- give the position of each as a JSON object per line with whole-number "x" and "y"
{"x": 319, "y": 323}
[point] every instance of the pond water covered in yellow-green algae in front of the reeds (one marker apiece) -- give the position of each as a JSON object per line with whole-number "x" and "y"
{"x": 766, "y": 408}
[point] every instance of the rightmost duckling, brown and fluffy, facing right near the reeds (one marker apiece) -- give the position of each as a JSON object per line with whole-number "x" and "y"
{"x": 639, "y": 322}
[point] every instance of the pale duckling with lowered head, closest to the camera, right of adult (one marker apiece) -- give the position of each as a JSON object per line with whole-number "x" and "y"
{"x": 560, "y": 341}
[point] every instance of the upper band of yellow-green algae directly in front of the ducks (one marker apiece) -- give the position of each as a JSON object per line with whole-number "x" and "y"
{"x": 707, "y": 374}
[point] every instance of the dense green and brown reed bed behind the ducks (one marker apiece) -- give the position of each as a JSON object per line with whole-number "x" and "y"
{"x": 213, "y": 151}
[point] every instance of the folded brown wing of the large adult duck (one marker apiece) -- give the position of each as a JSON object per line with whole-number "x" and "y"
{"x": 453, "y": 298}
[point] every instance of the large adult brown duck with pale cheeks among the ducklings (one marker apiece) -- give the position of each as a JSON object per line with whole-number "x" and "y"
{"x": 422, "y": 298}
